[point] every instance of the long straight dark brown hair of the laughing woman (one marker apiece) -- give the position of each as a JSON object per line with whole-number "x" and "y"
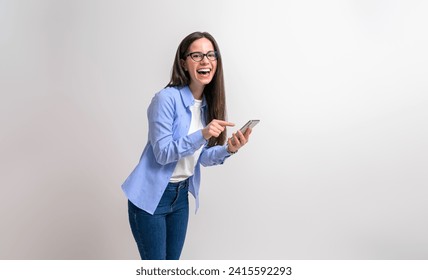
{"x": 214, "y": 92}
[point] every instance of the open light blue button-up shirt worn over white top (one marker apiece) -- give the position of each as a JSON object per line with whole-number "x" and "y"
{"x": 169, "y": 119}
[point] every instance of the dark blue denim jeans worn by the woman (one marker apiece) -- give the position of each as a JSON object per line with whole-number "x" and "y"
{"x": 161, "y": 236}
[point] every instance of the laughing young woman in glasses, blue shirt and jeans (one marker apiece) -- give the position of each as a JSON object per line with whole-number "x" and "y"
{"x": 187, "y": 128}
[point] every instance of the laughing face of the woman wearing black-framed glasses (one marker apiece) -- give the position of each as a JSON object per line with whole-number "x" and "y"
{"x": 202, "y": 72}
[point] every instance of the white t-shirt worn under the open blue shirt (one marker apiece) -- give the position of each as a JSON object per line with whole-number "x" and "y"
{"x": 186, "y": 166}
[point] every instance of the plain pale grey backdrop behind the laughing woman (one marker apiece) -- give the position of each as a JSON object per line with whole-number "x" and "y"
{"x": 336, "y": 169}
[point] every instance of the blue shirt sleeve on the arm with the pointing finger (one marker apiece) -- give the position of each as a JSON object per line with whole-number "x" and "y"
{"x": 161, "y": 113}
